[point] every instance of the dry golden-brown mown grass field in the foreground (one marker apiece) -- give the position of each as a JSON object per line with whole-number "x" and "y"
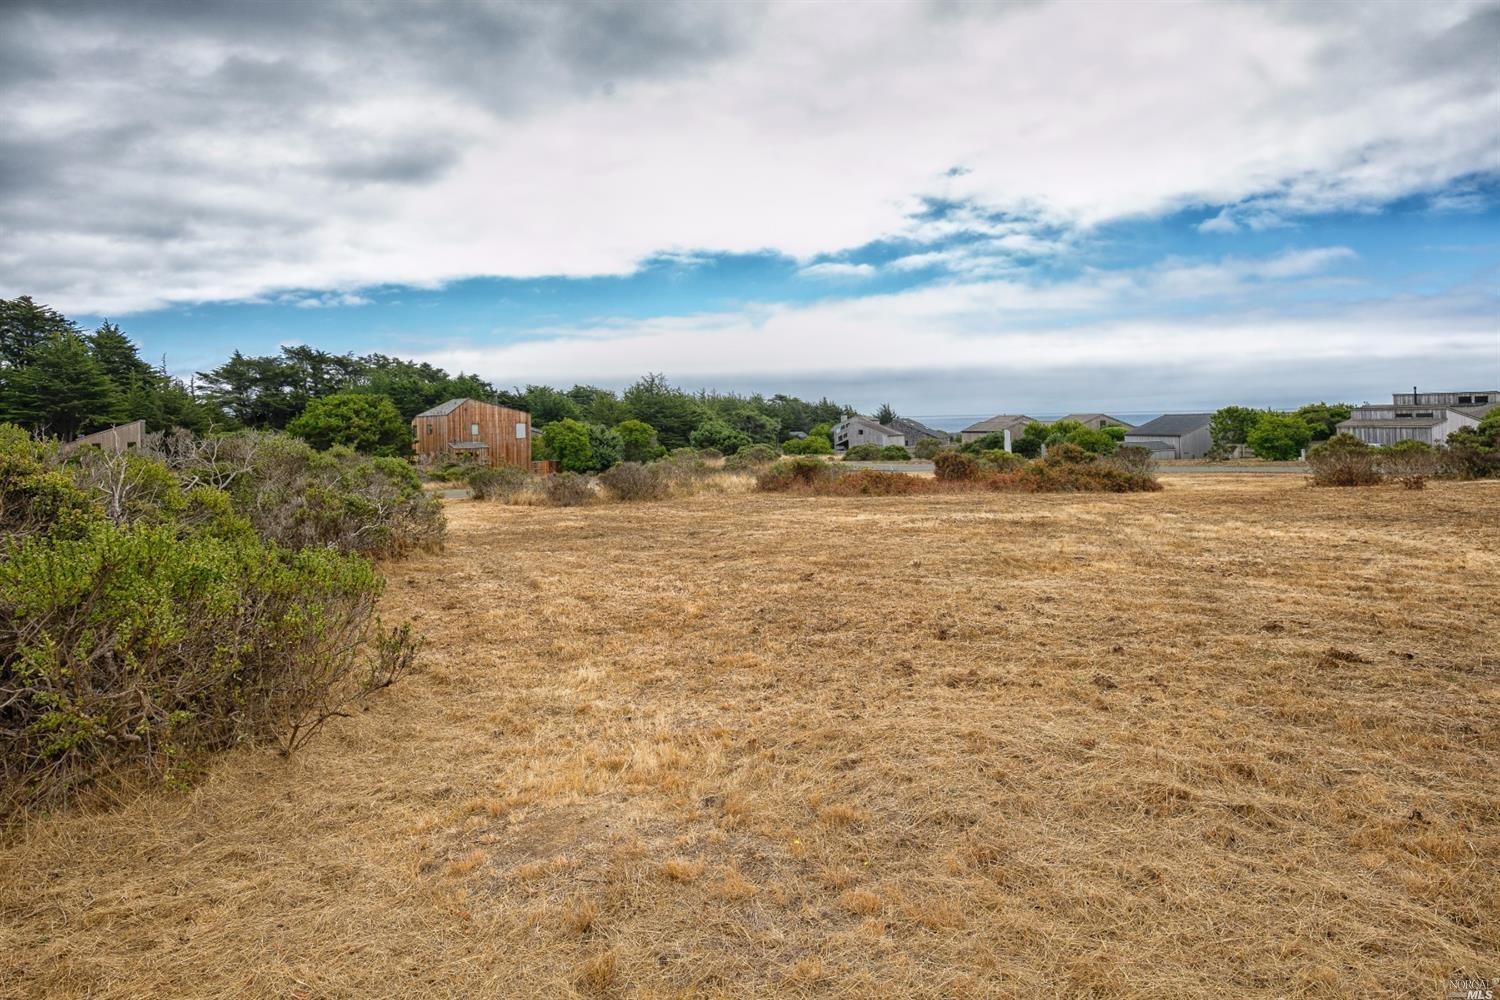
{"x": 1232, "y": 740}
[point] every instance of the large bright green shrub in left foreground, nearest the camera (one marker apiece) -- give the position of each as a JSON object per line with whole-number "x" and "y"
{"x": 139, "y": 645}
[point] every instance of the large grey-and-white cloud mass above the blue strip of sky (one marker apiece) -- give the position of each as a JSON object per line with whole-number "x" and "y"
{"x": 158, "y": 154}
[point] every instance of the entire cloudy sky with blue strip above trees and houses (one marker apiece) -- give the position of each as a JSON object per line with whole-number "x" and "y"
{"x": 958, "y": 209}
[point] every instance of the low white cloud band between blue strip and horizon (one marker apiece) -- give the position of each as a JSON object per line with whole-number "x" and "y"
{"x": 1204, "y": 322}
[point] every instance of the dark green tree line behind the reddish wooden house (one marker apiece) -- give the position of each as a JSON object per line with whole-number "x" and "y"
{"x": 59, "y": 380}
